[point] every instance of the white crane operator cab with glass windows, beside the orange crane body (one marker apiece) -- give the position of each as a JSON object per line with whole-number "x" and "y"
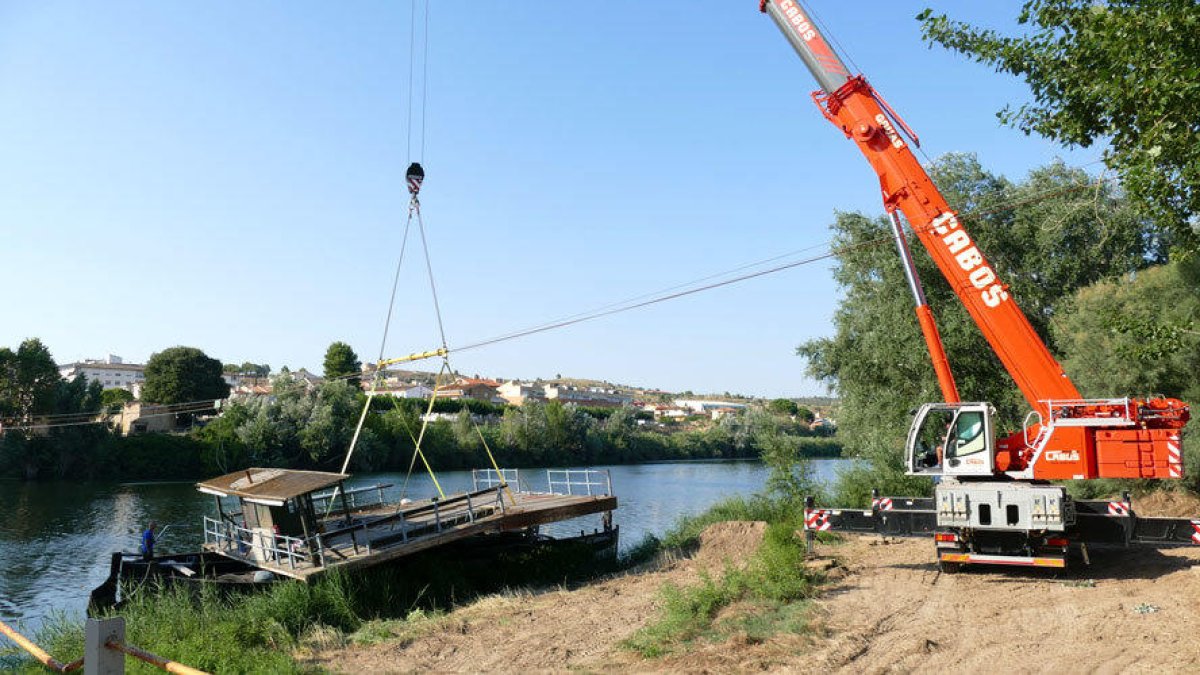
{"x": 952, "y": 440}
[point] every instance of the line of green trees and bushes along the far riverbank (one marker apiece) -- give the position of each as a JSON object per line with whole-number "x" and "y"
{"x": 310, "y": 427}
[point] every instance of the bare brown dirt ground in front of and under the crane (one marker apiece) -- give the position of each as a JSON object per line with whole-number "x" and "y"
{"x": 885, "y": 610}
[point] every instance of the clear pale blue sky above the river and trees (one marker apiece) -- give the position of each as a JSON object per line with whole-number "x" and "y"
{"x": 230, "y": 176}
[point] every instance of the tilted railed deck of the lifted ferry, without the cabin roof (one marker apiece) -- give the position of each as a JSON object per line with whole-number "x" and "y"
{"x": 365, "y": 535}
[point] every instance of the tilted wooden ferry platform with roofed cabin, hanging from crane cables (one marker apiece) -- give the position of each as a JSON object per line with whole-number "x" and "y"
{"x": 290, "y": 523}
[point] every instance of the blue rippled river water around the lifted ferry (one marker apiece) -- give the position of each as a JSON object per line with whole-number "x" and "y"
{"x": 57, "y": 539}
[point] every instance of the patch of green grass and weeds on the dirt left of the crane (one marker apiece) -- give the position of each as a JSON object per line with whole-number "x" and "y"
{"x": 771, "y": 592}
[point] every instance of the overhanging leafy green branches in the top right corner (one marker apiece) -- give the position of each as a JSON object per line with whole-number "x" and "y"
{"x": 1107, "y": 70}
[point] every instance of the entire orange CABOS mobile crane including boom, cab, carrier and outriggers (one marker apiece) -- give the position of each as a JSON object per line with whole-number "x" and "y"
{"x": 994, "y": 501}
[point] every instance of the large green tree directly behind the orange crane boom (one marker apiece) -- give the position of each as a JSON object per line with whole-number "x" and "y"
{"x": 1047, "y": 237}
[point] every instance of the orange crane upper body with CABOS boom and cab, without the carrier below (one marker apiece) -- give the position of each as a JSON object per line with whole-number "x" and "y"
{"x": 1066, "y": 437}
